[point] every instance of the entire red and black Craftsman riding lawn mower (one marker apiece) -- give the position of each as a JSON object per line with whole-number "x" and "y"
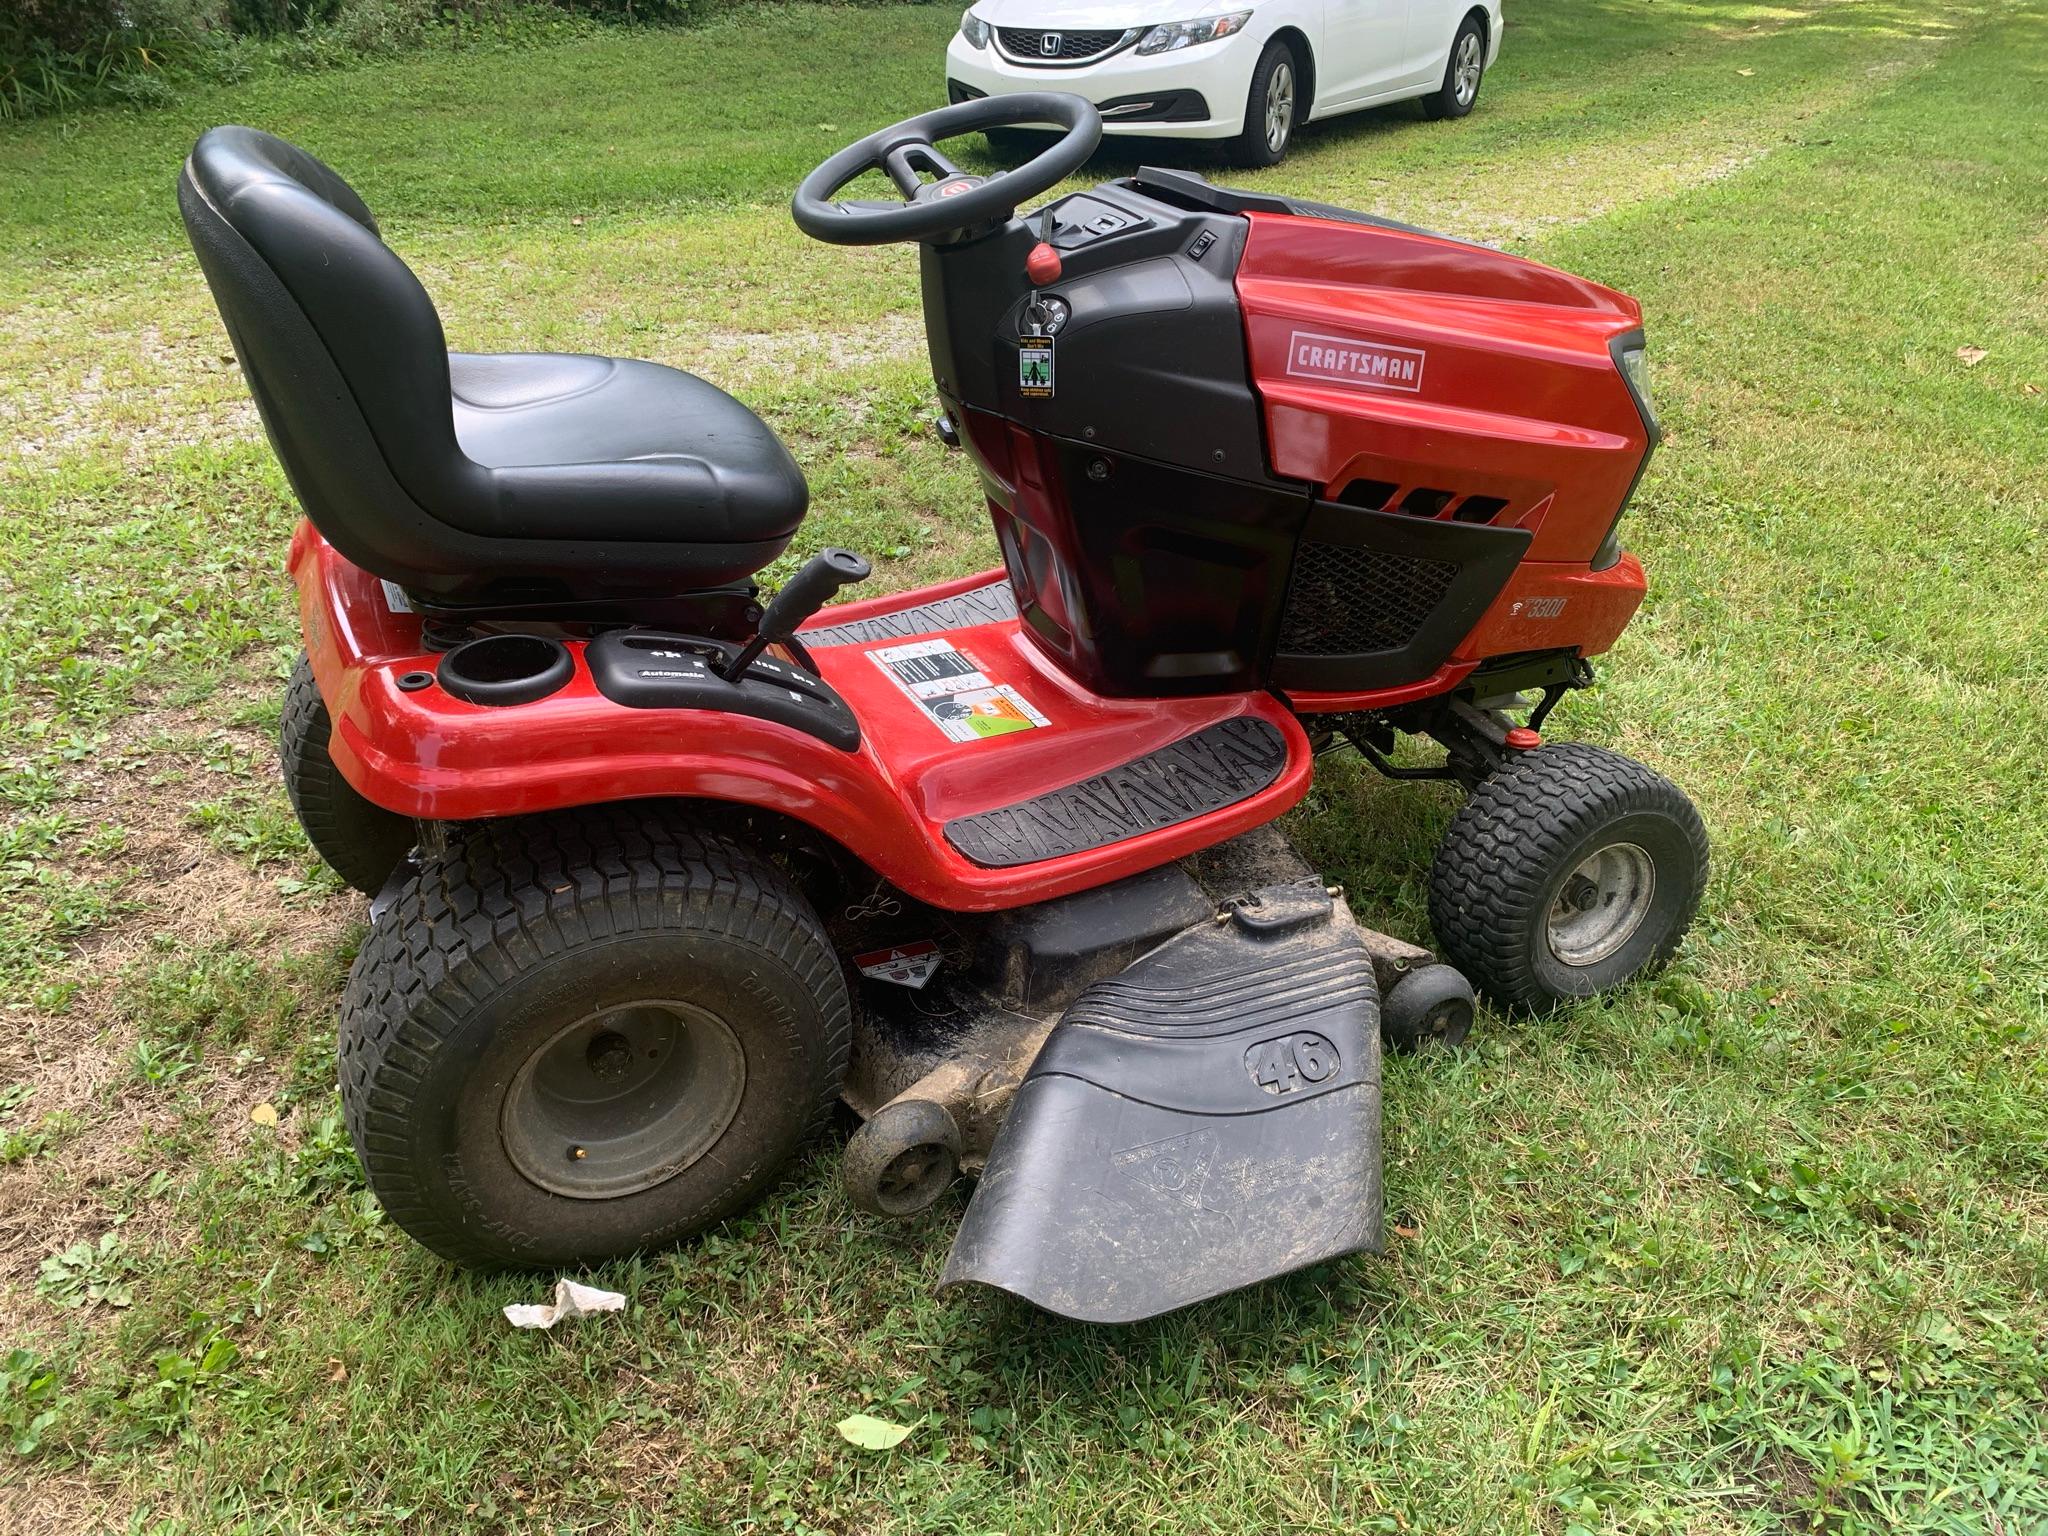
{"x": 665, "y": 871}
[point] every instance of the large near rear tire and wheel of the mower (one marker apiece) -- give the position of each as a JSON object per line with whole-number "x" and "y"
{"x": 581, "y": 1037}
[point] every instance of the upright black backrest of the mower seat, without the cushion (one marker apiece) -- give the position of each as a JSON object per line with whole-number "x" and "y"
{"x": 341, "y": 347}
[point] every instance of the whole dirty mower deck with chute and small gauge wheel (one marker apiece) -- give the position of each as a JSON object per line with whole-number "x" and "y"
{"x": 1166, "y": 1086}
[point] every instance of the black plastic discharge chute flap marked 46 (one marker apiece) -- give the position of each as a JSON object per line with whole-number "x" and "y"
{"x": 1203, "y": 1121}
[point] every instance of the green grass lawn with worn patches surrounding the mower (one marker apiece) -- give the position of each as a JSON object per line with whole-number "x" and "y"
{"x": 1760, "y": 1246}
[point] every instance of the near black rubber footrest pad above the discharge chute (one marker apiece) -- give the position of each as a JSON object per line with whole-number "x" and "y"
{"x": 1220, "y": 765}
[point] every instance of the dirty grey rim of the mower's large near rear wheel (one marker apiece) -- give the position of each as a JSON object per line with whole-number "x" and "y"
{"x": 624, "y": 1099}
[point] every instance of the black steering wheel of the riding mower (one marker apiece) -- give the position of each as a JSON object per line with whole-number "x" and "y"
{"x": 959, "y": 200}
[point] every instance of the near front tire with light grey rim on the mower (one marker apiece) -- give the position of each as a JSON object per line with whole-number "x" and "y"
{"x": 1568, "y": 873}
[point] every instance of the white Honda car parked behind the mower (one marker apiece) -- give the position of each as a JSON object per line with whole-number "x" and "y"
{"x": 1248, "y": 77}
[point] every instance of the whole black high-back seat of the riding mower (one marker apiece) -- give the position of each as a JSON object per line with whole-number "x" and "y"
{"x": 521, "y": 480}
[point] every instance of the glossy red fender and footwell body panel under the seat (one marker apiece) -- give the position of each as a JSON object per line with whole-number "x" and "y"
{"x": 439, "y": 759}
